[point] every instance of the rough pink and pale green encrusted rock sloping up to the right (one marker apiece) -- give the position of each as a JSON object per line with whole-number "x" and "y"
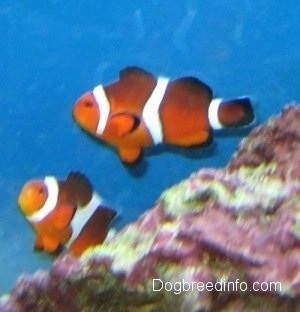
{"x": 222, "y": 240}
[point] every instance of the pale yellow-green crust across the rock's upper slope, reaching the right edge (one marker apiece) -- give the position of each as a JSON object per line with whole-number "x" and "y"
{"x": 245, "y": 189}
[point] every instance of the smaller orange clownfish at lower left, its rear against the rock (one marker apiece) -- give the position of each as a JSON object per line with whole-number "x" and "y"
{"x": 65, "y": 213}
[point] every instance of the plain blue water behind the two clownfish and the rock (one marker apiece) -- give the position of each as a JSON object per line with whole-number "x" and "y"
{"x": 53, "y": 51}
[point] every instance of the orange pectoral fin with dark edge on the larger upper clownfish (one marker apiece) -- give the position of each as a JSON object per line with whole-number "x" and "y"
{"x": 122, "y": 124}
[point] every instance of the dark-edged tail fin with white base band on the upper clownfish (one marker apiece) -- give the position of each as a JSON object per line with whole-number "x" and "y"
{"x": 236, "y": 112}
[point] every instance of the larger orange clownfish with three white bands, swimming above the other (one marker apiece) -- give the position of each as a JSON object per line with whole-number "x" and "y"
{"x": 140, "y": 110}
